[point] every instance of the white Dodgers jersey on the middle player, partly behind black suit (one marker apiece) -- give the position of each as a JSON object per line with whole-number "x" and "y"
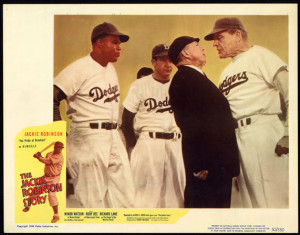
{"x": 149, "y": 99}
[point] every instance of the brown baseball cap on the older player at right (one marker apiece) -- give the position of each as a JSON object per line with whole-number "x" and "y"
{"x": 224, "y": 24}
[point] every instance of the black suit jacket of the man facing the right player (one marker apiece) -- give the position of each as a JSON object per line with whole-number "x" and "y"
{"x": 204, "y": 117}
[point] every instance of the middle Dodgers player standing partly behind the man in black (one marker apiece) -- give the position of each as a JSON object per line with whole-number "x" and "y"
{"x": 156, "y": 159}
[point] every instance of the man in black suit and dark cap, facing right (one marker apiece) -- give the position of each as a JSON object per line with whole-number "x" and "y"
{"x": 208, "y": 140}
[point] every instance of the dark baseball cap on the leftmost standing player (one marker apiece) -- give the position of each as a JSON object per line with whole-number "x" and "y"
{"x": 105, "y": 29}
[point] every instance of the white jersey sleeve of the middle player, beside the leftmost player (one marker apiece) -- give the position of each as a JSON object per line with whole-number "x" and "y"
{"x": 132, "y": 101}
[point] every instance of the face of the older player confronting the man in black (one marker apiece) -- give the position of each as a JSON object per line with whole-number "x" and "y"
{"x": 226, "y": 44}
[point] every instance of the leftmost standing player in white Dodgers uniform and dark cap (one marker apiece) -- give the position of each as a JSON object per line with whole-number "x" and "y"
{"x": 96, "y": 157}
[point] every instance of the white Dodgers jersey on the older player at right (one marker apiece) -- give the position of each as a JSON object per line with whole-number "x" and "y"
{"x": 248, "y": 83}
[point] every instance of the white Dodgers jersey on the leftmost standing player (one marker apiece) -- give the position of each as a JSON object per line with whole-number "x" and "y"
{"x": 92, "y": 90}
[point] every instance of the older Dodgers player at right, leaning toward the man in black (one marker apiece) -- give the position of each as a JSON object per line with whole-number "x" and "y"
{"x": 252, "y": 84}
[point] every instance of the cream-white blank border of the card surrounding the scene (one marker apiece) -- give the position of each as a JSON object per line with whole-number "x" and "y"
{"x": 27, "y": 34}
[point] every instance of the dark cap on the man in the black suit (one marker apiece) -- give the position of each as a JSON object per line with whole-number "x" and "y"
{"x": 177, "y": 45}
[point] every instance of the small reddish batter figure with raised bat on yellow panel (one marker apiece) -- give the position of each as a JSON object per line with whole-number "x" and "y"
{"x": 53, "y": 166}
